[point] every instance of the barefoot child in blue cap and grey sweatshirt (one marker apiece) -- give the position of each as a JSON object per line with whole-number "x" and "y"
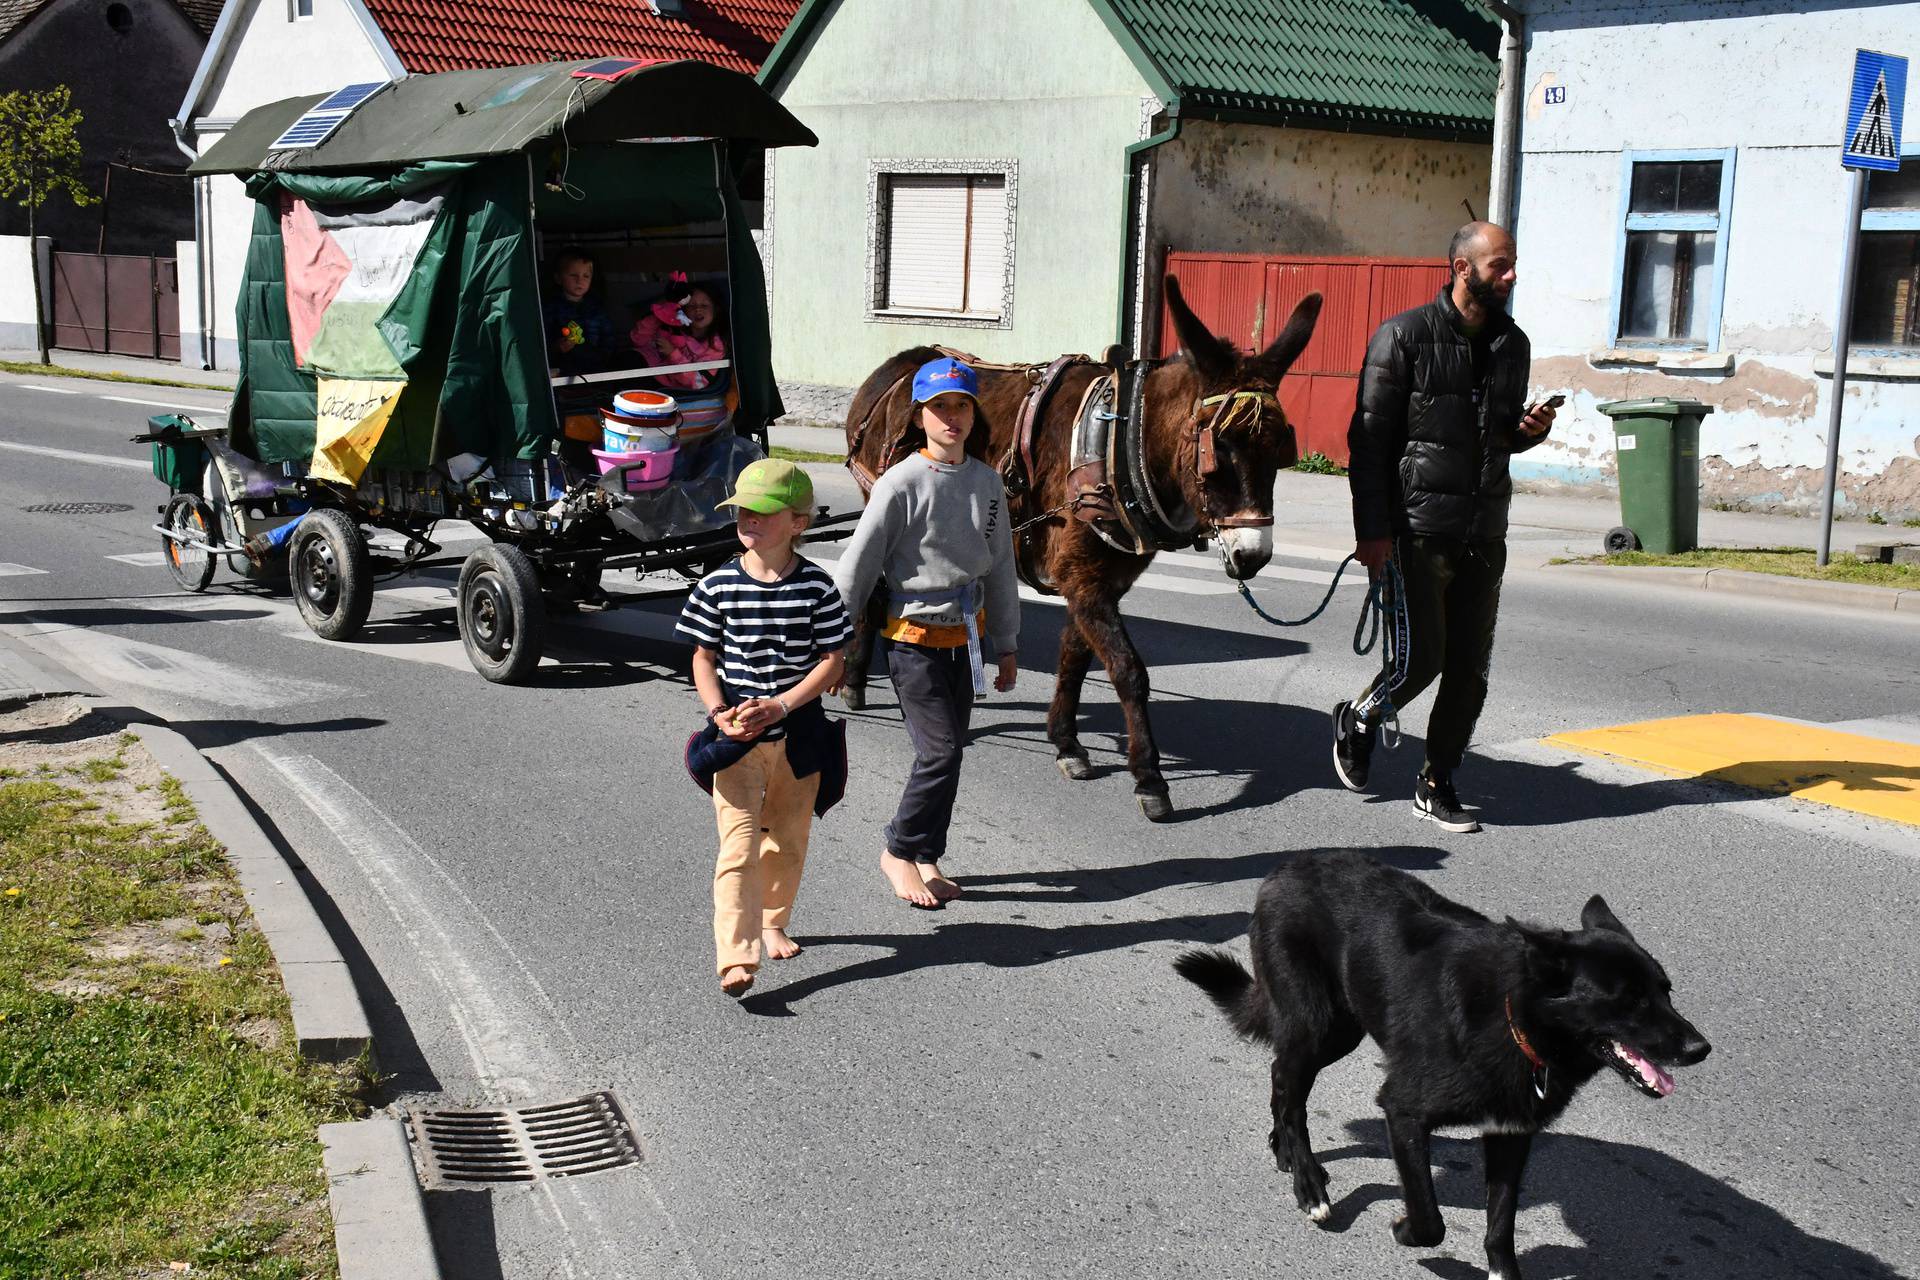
{"x": 936, "y": 529}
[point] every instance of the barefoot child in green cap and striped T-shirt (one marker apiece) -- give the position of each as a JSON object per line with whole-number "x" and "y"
{"x": 769, "y": 630}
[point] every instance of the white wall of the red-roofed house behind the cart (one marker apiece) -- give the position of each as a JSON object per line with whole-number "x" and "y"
{"x": 268, "y": 59}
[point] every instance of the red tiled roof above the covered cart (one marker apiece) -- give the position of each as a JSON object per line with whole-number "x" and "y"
{"x": 452, "y": 36}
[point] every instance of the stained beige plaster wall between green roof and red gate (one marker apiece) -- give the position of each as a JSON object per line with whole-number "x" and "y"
{"x": 1259, "y": 189}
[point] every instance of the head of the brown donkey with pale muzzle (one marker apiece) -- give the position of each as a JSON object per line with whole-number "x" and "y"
{"x": 1234, "y": 431}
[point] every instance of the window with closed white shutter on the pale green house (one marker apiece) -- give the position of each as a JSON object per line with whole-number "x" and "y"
{"x": 942, "y": 243}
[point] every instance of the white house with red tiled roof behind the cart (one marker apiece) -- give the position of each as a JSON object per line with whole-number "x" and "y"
{"x": 266, "y": 51}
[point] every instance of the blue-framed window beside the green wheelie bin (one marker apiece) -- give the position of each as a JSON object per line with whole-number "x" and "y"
{"x": 1673, "y": 249}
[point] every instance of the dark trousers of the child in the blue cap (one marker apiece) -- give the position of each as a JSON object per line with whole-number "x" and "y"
{"x": 936, "y": 690}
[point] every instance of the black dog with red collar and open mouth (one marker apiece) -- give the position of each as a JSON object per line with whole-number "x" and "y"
{"x": 1485, "y": 1026}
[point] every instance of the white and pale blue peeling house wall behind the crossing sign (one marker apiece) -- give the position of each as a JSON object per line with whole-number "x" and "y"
{"x": 1704, "y": 76}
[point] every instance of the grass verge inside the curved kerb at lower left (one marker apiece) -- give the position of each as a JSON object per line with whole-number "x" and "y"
{"x": 155, "y": 1110}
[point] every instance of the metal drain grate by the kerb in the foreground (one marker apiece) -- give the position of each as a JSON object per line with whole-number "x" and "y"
{"x": 521, "y": 1145}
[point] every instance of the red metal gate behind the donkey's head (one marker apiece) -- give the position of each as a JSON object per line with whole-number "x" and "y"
{"x": 1249, "y": 296}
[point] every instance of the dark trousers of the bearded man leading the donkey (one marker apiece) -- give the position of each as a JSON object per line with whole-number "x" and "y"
{"x": 1452, "y": 596}
